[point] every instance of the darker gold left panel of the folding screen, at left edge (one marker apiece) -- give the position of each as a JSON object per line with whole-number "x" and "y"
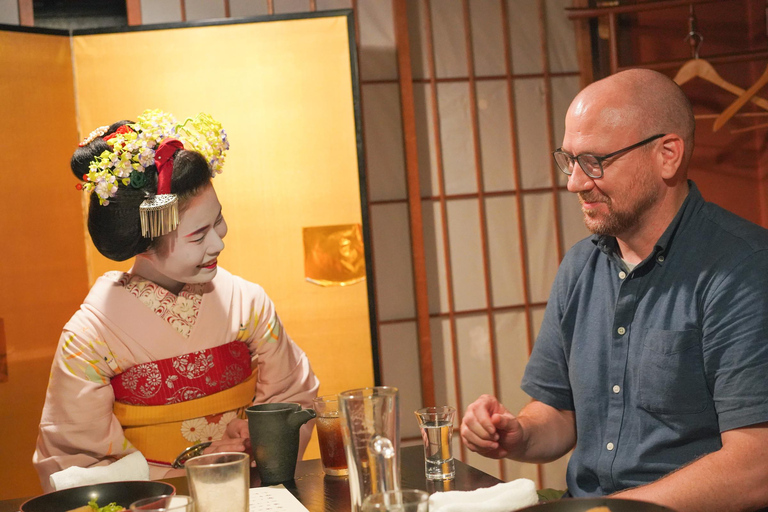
{"x": 42, "y": 262}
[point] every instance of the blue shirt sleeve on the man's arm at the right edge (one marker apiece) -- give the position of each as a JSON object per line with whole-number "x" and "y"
{"x": 735, "y": 343}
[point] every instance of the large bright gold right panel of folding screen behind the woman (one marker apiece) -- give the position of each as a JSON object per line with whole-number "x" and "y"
{"x": 283, "y": 91}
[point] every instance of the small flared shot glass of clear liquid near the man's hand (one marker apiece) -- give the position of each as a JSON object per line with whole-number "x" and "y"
{"x": 436, "y": 424}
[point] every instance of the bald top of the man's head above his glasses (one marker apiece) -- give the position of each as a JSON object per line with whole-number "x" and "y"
{"x": 642, "y": 100}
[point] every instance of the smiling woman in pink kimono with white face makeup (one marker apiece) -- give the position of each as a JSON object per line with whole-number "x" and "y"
{"x": 168, "y": 355}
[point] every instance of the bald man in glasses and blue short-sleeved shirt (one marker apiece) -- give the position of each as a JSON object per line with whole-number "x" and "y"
{"x": 652, "y": 359}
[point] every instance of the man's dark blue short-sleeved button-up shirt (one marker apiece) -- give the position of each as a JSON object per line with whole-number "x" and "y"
{"x": 656, "y": 361}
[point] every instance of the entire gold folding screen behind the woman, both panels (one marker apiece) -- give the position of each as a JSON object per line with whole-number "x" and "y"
{"x": 284, "y": 90}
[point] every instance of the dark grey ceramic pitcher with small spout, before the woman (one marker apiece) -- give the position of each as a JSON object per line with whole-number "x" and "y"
{"x": 274, "y": 430}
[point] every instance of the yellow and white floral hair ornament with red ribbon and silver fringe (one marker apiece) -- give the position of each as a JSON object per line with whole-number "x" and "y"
{"x": 136, "y": 146}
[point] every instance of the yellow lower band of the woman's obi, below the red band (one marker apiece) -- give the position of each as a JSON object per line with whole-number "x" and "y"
{"x": 162, "y": 432}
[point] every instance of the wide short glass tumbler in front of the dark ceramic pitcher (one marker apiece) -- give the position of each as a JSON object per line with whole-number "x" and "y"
{"x": 219, "y": 482}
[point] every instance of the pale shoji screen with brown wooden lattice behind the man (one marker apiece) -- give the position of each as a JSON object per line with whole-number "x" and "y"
{"x": 491, "y": 81}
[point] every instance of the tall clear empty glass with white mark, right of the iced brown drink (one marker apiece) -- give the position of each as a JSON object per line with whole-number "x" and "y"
{"x": 371, "y": 430}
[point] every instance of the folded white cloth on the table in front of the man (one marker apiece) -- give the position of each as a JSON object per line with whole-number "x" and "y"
{"x": 502, "y": 497}
